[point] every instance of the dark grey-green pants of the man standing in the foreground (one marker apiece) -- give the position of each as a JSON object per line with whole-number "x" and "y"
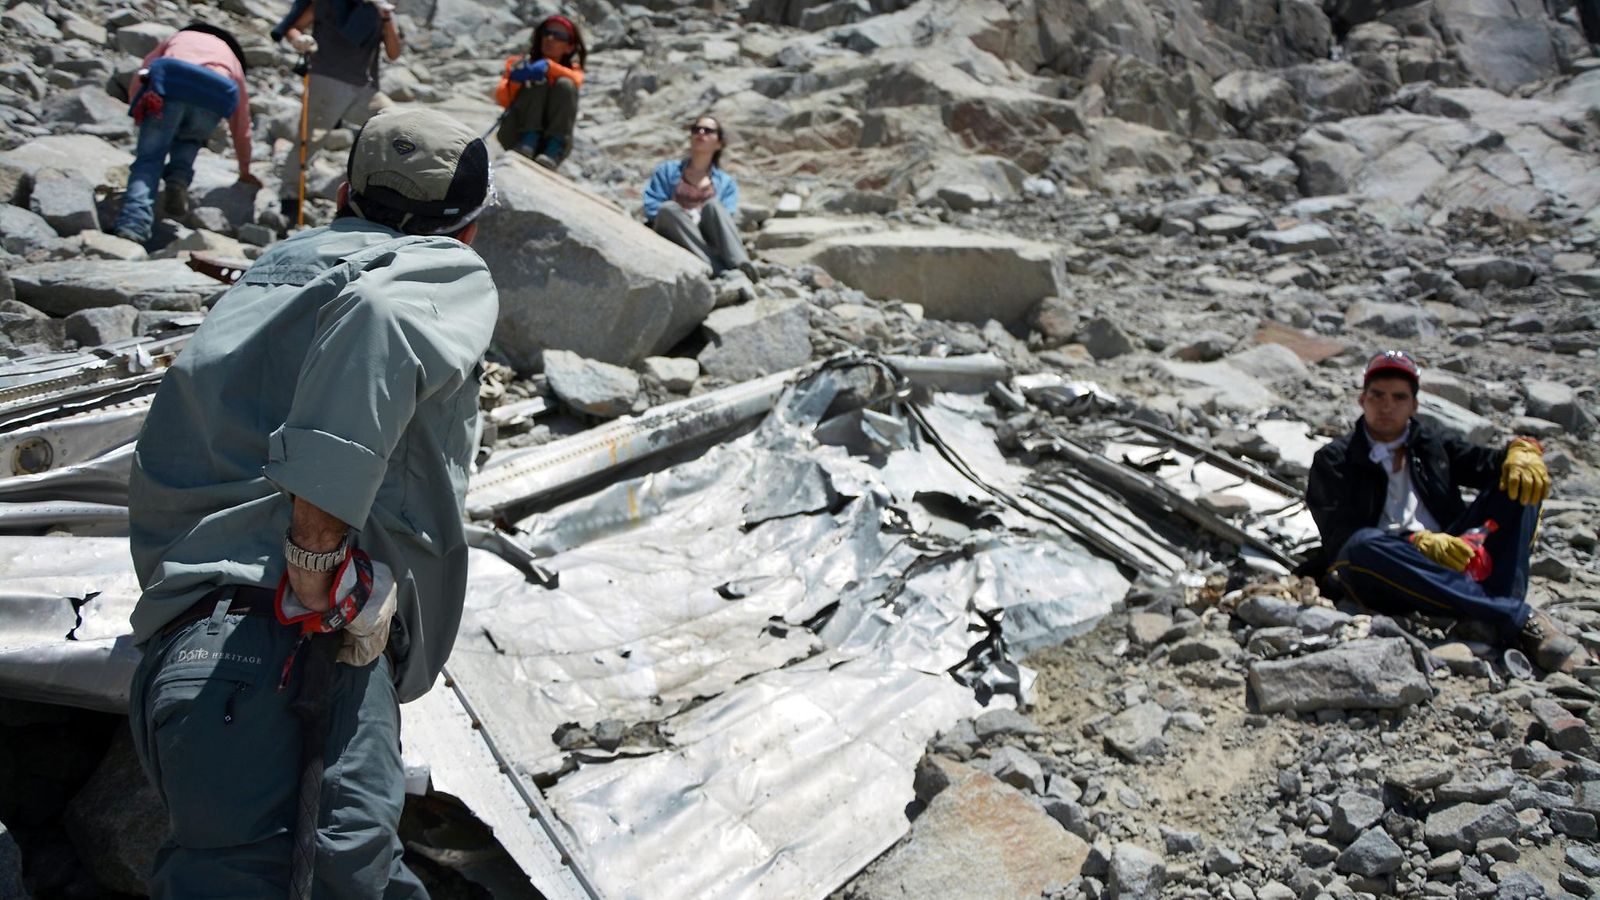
{"x": 218, "y": 741}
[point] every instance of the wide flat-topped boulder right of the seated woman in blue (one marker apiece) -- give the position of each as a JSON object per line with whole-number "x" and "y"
{"x": 954, "y": 275}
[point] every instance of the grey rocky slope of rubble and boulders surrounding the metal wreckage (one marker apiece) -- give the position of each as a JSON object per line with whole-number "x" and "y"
{"x": 1158, "y": 188}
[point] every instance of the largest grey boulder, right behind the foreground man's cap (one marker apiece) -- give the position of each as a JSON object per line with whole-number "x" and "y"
{"x": 577, "y": 273}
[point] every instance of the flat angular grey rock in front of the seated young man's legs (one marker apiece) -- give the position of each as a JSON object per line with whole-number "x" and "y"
{"x": 1361, "y": 675}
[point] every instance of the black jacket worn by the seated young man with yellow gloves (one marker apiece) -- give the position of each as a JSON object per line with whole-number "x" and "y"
{"x": 1348, "y": 489}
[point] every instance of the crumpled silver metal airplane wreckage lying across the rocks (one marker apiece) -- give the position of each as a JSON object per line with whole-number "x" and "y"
{"x": 705, "y": 646}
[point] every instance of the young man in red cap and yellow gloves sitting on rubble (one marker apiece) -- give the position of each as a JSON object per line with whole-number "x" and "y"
{"x": 1388, "y": 505}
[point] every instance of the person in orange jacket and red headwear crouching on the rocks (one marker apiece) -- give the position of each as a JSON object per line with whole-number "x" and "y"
{"x": 540, "y": 94}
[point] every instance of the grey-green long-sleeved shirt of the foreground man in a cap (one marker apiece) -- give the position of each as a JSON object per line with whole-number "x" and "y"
{"x": 340, "y": 369}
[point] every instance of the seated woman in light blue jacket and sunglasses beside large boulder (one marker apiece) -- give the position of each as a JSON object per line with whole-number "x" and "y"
{"x": 692, "y": 203}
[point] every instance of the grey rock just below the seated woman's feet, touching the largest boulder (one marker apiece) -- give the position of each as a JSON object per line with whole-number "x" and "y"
{"x": 756, "y": 339}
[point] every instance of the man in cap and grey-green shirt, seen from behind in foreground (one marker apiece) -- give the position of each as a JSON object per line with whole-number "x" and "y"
{"x": 297, "y": 524}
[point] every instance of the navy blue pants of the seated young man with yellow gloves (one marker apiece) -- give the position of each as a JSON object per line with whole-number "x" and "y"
{"x": 1386, "y": 573}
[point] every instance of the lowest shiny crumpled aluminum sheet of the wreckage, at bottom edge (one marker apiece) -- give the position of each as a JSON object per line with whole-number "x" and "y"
{"x": 785, "y": 787}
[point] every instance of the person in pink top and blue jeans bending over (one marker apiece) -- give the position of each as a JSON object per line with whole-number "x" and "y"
{"x": 190, "y": 84}
